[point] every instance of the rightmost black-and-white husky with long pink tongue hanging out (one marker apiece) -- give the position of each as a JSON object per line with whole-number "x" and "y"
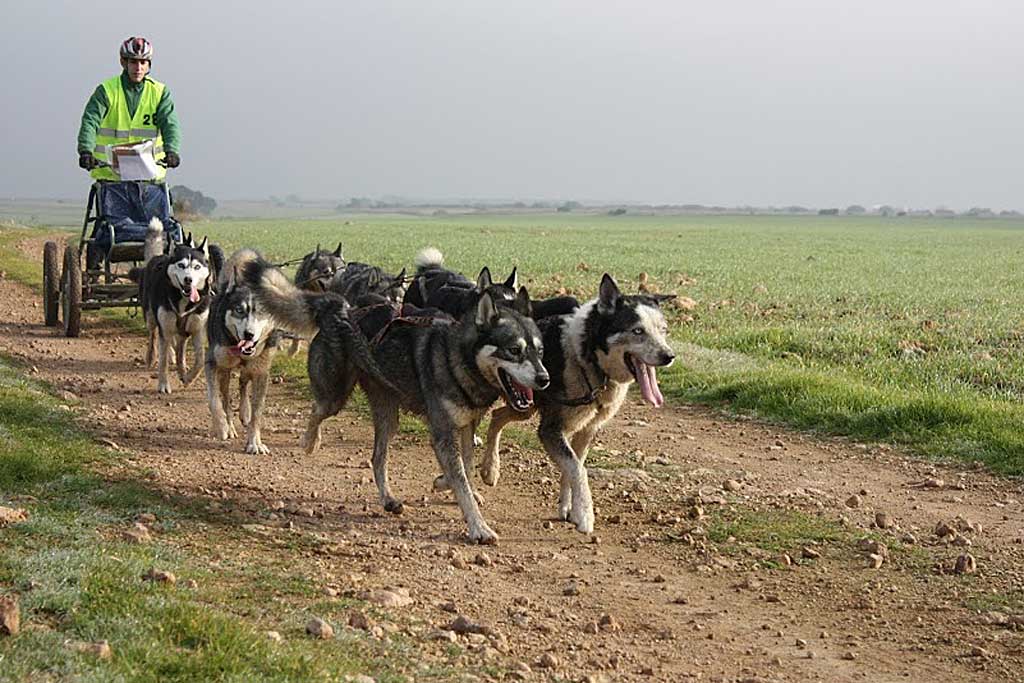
{"x": 593, "y": 355}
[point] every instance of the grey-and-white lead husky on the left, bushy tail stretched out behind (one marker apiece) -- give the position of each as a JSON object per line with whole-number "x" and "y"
{"x": 448, "y": 373}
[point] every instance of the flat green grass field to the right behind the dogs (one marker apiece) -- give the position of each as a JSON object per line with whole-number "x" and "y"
{"x": 894, "y": 330}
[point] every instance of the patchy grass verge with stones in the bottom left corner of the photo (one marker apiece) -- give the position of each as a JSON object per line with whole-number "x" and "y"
{"x": 78, "y": 580}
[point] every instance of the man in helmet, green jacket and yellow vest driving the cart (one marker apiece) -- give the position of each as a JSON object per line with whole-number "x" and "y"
{"x": 130, "y": 108}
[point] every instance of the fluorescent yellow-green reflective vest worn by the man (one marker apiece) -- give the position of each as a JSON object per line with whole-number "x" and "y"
{"x": 118, "y": 127}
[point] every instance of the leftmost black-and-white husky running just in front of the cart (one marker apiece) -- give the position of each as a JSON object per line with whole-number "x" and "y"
{"x": 175, "y": 292}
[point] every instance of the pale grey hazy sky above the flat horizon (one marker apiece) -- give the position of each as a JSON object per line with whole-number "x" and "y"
{"x": 766, "y": 103}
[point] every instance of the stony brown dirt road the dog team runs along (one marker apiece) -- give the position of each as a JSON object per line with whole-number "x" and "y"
{"x": 662, "y": 592}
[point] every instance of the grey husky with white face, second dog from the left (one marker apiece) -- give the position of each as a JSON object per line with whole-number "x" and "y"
{"x": 241, "y": 337}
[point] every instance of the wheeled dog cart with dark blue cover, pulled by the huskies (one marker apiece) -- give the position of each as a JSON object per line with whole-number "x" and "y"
{"x": 120, "y": 214}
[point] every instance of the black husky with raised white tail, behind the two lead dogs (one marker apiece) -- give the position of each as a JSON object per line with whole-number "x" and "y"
{"x": 436, "y": 287}
